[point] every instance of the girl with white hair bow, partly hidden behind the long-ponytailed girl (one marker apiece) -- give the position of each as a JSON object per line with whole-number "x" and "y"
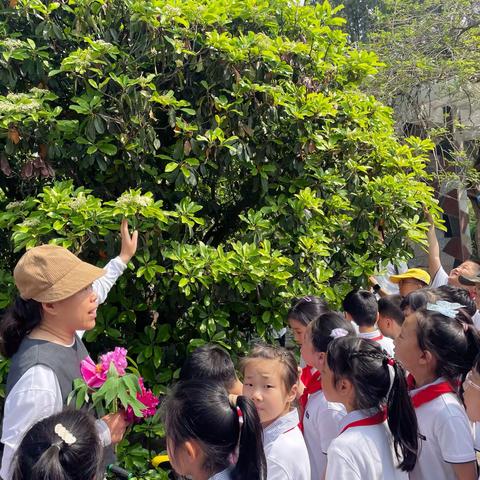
{"x": 320, "y": 418}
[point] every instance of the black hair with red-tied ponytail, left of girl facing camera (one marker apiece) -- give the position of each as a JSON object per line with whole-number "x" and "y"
{"x": 201, "y": 410}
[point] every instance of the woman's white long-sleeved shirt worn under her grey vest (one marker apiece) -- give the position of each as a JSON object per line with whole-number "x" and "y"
{"x": 38, "y": 391}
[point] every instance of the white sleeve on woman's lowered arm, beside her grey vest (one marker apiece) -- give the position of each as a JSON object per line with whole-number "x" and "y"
{"x": 35, "y": 396}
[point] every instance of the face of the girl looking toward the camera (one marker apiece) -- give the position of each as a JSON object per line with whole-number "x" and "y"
{"x": 264, "y": 383}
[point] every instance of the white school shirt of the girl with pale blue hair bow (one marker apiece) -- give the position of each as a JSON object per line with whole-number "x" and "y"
{"x": 448, "y": 437}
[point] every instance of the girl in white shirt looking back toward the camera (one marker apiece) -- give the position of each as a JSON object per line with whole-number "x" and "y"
{"x": 271, "y": 381}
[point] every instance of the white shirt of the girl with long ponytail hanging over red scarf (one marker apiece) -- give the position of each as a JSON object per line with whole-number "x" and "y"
{"x": 363, "y": 452}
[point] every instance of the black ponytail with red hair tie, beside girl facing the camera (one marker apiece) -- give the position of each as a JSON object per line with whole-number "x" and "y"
{"x": 251, "y": 463}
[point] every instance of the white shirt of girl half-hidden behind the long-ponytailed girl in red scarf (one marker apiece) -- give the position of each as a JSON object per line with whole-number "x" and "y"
{"x": 321, "y": 424}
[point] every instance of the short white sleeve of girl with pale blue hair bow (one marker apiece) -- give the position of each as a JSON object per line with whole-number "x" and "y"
{"x": 455, "y": 438}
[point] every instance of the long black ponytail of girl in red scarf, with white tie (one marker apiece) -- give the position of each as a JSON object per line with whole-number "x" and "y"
{"x": 402, "y": 419}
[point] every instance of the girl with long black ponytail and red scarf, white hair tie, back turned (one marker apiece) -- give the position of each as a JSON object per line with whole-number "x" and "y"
{"x": 378, "y": 437}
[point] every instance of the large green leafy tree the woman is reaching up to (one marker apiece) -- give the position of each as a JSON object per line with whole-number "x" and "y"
{"x": 233, "y": 135}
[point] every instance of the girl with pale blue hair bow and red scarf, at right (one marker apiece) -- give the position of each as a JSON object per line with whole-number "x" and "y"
{"x": 438, "y": 345}
